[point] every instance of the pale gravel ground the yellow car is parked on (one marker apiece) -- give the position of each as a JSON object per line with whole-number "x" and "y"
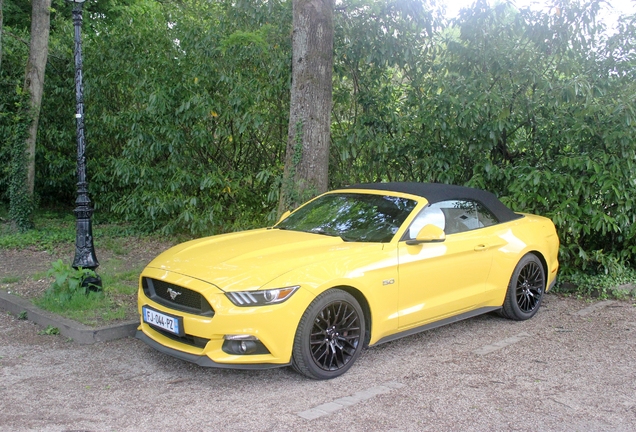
{"x": 570, "y": 368}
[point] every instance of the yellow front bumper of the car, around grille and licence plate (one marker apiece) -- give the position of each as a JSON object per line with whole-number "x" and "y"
{"x": 274, "y": 326}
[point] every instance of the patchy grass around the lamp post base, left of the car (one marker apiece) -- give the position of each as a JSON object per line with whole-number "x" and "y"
{"x": 54, "y": 232}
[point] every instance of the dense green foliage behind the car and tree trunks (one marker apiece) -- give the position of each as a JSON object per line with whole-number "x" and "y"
{"x": 187, "y": 110}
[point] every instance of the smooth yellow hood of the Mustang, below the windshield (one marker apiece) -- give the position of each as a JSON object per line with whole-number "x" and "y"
{"x": 248, "y": 260}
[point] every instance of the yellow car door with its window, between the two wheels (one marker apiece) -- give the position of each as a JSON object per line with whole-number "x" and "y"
{"x": 438, "y": 280}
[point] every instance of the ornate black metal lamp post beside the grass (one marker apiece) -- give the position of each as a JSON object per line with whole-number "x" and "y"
{"x": 84, "y": 249}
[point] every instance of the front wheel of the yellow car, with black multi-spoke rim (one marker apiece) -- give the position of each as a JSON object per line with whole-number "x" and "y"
{"x": 329, "y": 337}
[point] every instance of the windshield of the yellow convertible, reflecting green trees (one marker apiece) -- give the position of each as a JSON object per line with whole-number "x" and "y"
{"x": 352, "y": 217}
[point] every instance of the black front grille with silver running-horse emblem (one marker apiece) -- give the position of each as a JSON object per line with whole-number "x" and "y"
{"x": 176, "y": 297}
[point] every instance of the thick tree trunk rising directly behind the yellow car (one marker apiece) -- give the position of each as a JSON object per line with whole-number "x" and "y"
{"x": 307, "y": 156}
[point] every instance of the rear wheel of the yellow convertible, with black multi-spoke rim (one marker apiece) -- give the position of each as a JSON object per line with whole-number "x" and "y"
{"x": 525, "y": 290}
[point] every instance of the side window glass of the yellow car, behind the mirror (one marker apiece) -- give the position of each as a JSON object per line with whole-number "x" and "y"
{"x": 453, "y": 216}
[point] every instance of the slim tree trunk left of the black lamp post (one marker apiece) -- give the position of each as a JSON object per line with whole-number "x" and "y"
{"x": 34, "y": 77}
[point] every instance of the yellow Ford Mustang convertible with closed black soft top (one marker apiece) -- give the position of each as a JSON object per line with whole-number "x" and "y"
{"x": 351, "y": 268}
